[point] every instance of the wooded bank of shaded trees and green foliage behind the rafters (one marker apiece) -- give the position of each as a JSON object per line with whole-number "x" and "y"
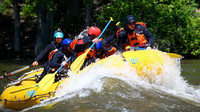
{"x": 27, "y": 26}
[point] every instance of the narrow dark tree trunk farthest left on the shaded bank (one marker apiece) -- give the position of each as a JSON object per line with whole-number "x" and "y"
{"x": 17, "y": 27}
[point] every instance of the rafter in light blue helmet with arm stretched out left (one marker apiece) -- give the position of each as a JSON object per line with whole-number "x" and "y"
{"x": 55, "y": 45}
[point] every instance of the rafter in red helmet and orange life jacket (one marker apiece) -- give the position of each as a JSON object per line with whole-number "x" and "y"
{"x": 80, "y": 46}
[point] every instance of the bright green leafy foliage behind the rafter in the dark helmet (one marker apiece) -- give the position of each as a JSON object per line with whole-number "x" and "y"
{"x": 174, "y": 23}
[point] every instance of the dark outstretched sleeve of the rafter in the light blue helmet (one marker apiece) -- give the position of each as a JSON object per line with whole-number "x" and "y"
{"x": 48, "y": 49}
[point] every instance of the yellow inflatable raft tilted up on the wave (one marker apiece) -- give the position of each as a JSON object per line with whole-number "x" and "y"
{"x": 25, "y": 93}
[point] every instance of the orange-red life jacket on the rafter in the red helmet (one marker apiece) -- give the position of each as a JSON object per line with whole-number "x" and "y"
{"x": 90, "y": 54}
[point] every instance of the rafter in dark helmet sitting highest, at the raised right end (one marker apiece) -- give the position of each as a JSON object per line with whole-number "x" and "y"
{"x": 134, "y": 34}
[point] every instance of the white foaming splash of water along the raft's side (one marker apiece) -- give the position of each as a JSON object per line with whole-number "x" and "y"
{"x": 169, "y": 82}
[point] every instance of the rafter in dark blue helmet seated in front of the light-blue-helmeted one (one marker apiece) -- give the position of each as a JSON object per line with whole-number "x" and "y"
{"x": 57, "y": 59}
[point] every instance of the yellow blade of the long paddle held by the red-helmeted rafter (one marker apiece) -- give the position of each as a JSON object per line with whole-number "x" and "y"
{"x": 76, "y": 65}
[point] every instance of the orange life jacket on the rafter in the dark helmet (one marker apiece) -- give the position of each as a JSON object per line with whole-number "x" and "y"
{"x": 135, "y": 39}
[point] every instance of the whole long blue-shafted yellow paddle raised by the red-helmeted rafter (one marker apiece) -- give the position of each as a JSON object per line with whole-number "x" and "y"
{"x": 76, "y": 65}
